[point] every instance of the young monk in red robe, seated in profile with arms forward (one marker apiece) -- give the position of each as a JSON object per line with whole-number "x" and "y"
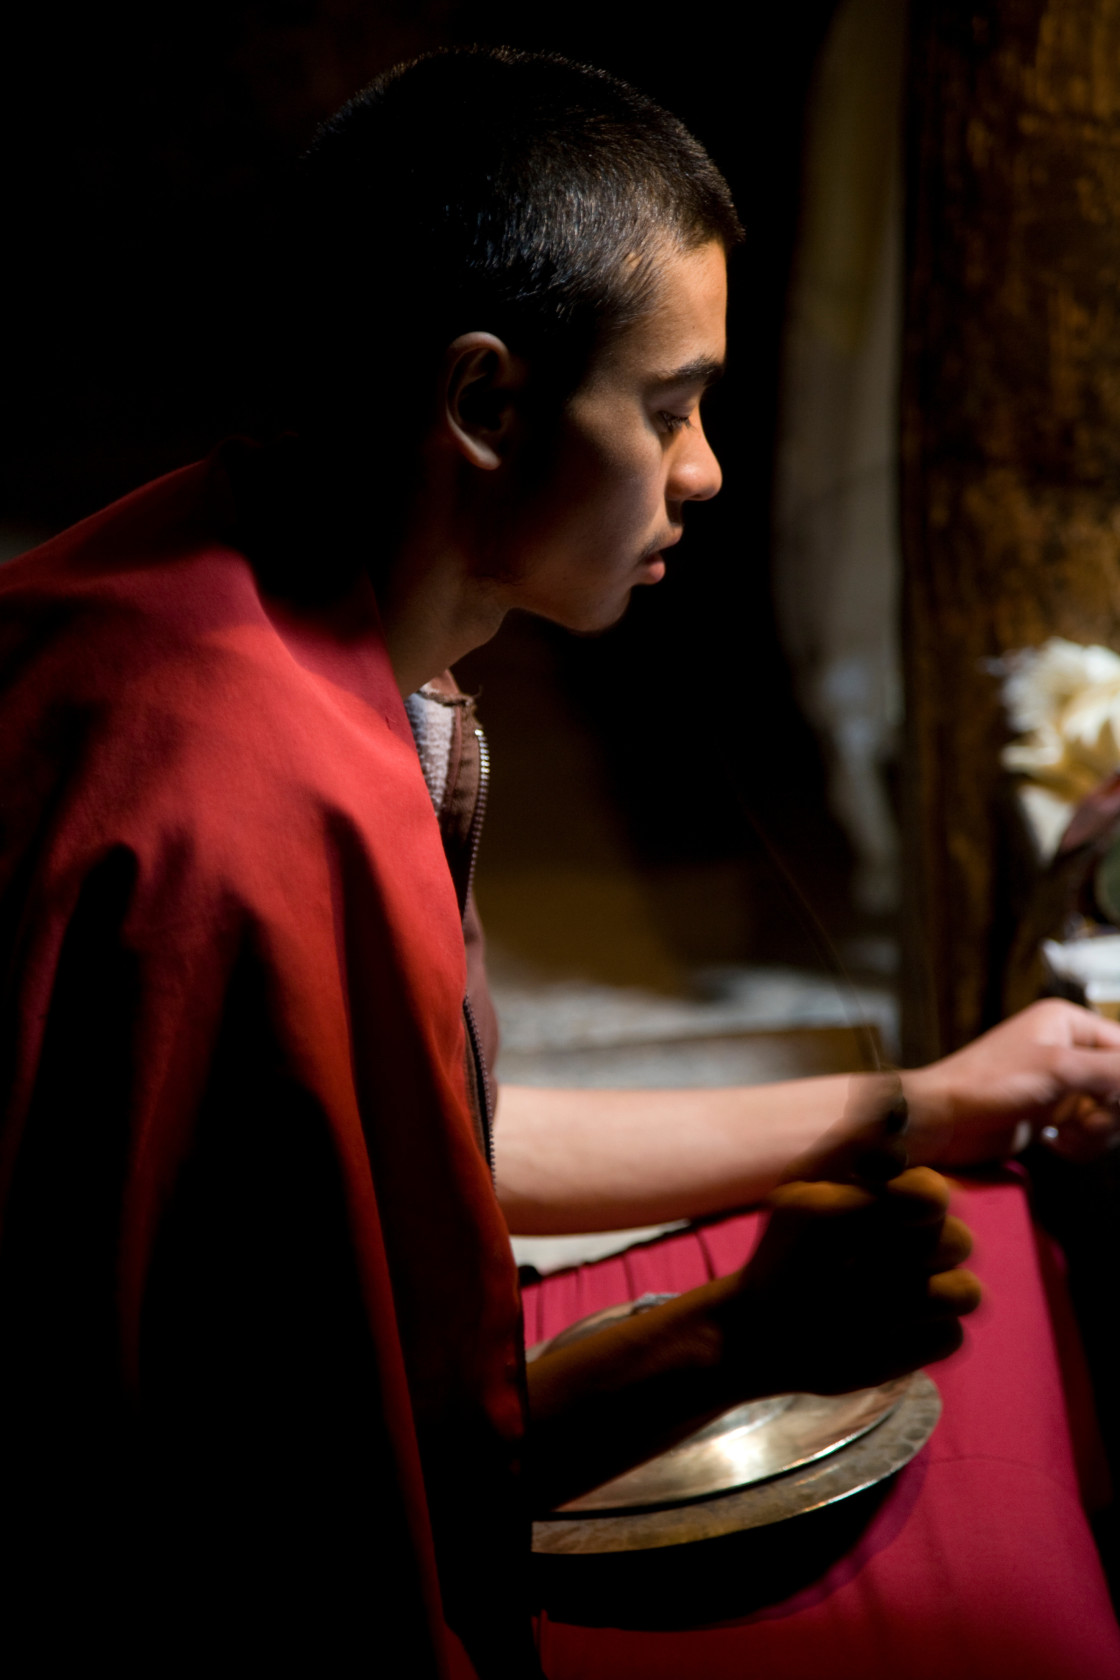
{"x": 263, "y": 1380}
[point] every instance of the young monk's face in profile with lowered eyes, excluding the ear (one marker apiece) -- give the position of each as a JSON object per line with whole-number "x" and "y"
{"x": 629, "y": 454}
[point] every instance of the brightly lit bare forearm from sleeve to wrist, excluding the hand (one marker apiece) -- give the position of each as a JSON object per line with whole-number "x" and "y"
{"x": 607, "y": 1160}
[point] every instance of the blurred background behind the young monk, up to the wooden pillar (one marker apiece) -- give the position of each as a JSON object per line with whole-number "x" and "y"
{"x": 624, "y": 883}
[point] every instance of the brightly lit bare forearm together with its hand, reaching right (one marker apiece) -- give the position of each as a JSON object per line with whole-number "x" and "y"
{"x": 607, "y": 1160}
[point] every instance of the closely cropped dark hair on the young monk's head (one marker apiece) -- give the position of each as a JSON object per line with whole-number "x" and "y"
{"x": 495, "y": 191}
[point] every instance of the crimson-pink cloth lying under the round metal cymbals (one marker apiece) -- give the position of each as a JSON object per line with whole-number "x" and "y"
{"x": 978, "y": 1565}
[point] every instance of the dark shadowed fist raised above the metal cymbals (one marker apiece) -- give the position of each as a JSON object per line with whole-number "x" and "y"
{"x": 859, "y": 1276}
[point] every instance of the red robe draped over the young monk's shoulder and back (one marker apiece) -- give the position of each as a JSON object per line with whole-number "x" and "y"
{"x": 259, "y": 1323}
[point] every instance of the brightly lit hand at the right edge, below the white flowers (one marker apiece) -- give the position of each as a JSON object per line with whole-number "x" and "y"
{"x": 1052, "y": 1073}
